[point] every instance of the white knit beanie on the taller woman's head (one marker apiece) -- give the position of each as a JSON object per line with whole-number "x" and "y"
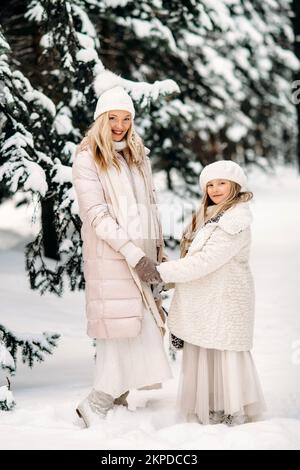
{"x": 115, "y": 98}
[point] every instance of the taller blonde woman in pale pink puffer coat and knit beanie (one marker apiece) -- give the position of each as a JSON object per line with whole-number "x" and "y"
{"x": 122, "y": 243}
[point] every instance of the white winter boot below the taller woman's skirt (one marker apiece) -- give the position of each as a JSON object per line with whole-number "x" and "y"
{"x": 94, "y": 407}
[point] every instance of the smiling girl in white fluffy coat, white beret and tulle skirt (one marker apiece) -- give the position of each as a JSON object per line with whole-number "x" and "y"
{"x": 212, "y": 310}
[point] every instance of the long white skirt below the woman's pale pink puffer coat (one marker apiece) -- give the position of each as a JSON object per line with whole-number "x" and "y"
{"x": 131, "y": 363}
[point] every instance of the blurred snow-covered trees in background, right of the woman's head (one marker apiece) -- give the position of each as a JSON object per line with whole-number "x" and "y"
{"x": 233, "y": 61}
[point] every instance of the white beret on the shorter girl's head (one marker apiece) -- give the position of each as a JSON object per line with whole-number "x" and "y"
{"x": 223, "y": 169}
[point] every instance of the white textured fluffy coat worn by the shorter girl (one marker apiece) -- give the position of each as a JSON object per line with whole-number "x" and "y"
{"x": 213, "y": 303}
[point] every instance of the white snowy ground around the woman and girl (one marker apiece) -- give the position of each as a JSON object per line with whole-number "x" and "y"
{"x": 46, "y": 395}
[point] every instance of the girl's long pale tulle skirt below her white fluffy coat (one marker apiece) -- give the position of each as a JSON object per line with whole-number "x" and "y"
{"x": 219, "y": 381}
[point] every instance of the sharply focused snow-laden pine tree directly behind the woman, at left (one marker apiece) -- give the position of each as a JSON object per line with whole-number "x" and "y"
{"x": 53, "y": 119}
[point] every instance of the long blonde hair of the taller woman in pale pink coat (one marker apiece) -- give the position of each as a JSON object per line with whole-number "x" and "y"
{"x": 99, "y": 139}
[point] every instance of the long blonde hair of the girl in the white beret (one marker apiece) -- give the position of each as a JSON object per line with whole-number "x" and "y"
{"x": 235, "y": 196}
